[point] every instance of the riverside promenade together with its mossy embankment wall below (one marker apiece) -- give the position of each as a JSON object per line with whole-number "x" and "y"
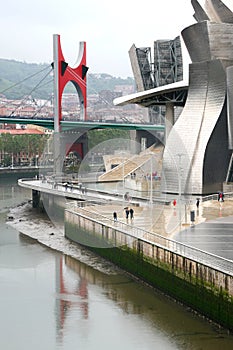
{"x": 193, "y": 275}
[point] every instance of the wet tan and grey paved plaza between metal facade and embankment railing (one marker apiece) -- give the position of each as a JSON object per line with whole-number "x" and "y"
{"x": 212, "y": 230}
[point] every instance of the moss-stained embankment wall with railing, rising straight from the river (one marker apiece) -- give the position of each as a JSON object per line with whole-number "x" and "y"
{"x": 205, "y": 289}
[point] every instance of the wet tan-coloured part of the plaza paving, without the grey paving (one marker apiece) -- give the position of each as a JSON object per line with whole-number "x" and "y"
{"x": 166, "y": 220}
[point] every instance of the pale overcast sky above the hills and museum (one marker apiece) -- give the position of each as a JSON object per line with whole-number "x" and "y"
{"x": 108, "y": 27}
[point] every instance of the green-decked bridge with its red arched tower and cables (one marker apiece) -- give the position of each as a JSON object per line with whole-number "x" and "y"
{"x": 63, "y": 74}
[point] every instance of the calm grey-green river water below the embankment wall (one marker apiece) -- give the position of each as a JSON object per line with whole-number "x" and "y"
{"x": 51, "y": 300}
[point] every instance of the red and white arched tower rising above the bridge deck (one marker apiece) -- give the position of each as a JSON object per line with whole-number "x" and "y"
{"x": 63, "y": 74}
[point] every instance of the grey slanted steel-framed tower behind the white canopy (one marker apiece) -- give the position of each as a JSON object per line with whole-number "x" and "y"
{"x": 165, "y": 67}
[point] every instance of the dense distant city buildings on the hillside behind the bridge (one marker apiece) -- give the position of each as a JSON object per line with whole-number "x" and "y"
{"x": 99, "y": 107}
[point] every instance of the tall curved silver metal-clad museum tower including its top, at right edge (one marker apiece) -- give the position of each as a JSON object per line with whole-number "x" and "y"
{"x": 196, "y": 154}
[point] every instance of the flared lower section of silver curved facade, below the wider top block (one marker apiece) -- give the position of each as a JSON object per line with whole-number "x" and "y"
{"x": 199, "y": 135}
